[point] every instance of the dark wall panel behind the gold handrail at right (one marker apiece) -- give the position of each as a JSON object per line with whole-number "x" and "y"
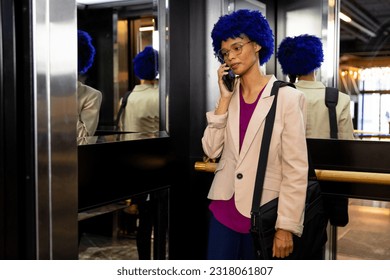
{"x": 352, "y": 155}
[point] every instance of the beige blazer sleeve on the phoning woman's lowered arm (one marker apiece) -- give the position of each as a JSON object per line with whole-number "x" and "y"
{"x": 293, "y": 187}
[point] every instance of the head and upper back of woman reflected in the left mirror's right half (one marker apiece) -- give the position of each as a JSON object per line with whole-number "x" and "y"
{"x": 142, "y": 113}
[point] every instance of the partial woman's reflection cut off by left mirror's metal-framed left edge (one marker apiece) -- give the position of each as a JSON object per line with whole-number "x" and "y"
{"x": 88, "y": 98}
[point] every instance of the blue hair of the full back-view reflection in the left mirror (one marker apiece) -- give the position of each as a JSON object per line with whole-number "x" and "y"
{"x": 146, "y": 64}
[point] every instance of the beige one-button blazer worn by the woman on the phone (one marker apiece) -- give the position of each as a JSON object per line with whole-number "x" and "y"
{"x": 287, "y": 167}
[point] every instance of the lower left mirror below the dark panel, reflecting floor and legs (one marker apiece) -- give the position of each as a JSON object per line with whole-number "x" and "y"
{"x": 134, "y": 229}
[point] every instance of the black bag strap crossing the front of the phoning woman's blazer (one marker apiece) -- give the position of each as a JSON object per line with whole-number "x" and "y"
{"x": 261, "y": 167}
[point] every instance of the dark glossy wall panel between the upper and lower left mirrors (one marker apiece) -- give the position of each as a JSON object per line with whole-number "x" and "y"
{"x": 115, "y": 171}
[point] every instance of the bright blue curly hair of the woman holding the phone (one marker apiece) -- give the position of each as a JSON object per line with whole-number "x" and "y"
{"x": 245, "y": 22}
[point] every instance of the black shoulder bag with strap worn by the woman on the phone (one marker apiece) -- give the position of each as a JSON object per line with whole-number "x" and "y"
{"x": 263, "y": 219}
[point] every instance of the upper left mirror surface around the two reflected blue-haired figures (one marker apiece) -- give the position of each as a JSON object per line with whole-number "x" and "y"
{"x": 120, "y": 30}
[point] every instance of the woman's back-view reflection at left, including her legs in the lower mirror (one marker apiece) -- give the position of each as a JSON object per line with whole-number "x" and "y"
{"x": 142, "y": 114}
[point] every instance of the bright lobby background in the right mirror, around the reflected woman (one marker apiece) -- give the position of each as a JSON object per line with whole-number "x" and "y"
{"x": 361, "y": 47}
